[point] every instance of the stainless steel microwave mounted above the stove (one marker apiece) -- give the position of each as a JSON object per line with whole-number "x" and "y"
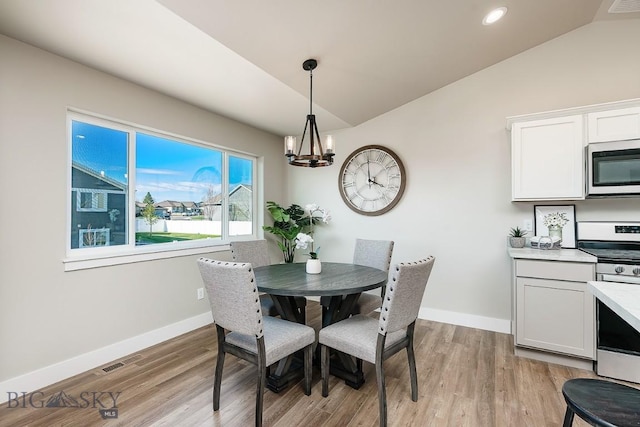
{"x": 613, "y": 169}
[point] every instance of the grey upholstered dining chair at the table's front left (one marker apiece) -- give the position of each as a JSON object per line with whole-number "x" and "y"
{"x": 242, "y": 330}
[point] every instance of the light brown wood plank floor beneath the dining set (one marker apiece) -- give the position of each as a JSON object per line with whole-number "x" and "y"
{"x": 466, "y": 377}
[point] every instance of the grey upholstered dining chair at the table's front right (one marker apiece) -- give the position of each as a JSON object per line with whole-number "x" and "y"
{"x": 375, "y": 340}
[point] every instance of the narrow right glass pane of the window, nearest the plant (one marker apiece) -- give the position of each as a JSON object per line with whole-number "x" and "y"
{"x": 240, "y": 196}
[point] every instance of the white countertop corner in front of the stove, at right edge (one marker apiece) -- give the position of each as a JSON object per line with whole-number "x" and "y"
{"x": 622, "y": 298}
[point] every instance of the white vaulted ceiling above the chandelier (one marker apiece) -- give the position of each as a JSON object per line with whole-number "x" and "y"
{"x": 243, "y": 59}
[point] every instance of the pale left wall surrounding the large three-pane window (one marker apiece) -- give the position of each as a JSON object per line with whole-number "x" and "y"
{"x": 48, "y": 316}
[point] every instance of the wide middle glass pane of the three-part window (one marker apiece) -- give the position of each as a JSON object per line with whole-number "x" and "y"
{"x": 178, "y": 191}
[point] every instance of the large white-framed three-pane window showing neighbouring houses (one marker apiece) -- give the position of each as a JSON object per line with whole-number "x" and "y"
{"x": 132, "y": 189}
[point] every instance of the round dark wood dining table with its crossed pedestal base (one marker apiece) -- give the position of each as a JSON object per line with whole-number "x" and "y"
{"x": 341, "y": 282}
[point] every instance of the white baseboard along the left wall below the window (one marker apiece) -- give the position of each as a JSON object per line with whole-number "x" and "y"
{"x": 48, "y": 375}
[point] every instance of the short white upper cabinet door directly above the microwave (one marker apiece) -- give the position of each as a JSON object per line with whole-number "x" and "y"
{"x": 614, "y": 125}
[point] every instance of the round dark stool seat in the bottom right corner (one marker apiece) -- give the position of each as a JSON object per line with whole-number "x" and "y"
{"x": 601, "y": 403}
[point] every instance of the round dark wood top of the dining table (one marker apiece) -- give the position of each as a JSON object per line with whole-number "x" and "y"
{"x": 335, "y": 279}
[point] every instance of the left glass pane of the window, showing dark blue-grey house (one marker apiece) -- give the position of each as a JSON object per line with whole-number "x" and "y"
{"x": 98, "y": 185}
